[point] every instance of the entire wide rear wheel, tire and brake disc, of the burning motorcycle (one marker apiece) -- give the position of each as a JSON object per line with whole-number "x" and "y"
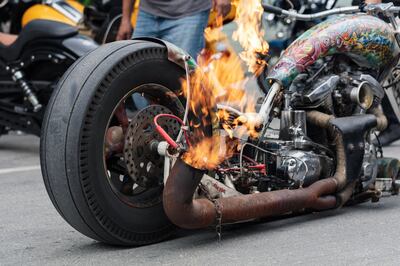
{"x": 98, "y": 150}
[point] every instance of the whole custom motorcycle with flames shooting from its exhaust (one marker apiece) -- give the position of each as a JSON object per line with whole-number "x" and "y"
{"x": 203, "y": 152}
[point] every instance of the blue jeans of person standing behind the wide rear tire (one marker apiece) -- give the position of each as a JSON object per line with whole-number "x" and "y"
{"x": 186, "y": 33}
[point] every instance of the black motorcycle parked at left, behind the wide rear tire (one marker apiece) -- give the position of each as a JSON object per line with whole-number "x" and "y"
{"x": 30, "y": 69}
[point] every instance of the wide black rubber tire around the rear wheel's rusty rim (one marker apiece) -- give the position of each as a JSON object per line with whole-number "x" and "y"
{"x": 72, "y": 142}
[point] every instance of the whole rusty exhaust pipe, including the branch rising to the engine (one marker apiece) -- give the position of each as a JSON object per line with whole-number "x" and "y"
{"x": 186, "y": 212}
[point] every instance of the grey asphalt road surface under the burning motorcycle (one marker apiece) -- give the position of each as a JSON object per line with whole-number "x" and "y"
{"x": 32, "y": 232}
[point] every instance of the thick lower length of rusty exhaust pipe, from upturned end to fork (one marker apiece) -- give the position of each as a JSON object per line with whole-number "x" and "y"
{"x": 186, "y": 212}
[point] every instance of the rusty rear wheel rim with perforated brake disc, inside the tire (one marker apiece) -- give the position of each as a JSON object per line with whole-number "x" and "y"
{"x": 132, "y": 165}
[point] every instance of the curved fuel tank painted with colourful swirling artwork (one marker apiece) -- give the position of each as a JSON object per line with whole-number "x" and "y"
{"x": 367, "y": 40}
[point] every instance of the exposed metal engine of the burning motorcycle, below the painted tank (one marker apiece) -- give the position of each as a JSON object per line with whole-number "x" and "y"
{"x": 301, "y": 153}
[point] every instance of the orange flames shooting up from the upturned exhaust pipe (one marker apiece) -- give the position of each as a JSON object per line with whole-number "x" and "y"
{"x": 220, "y": 78}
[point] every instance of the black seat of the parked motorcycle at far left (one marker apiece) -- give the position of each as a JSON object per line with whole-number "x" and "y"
{"x": 37, "y": 29}
